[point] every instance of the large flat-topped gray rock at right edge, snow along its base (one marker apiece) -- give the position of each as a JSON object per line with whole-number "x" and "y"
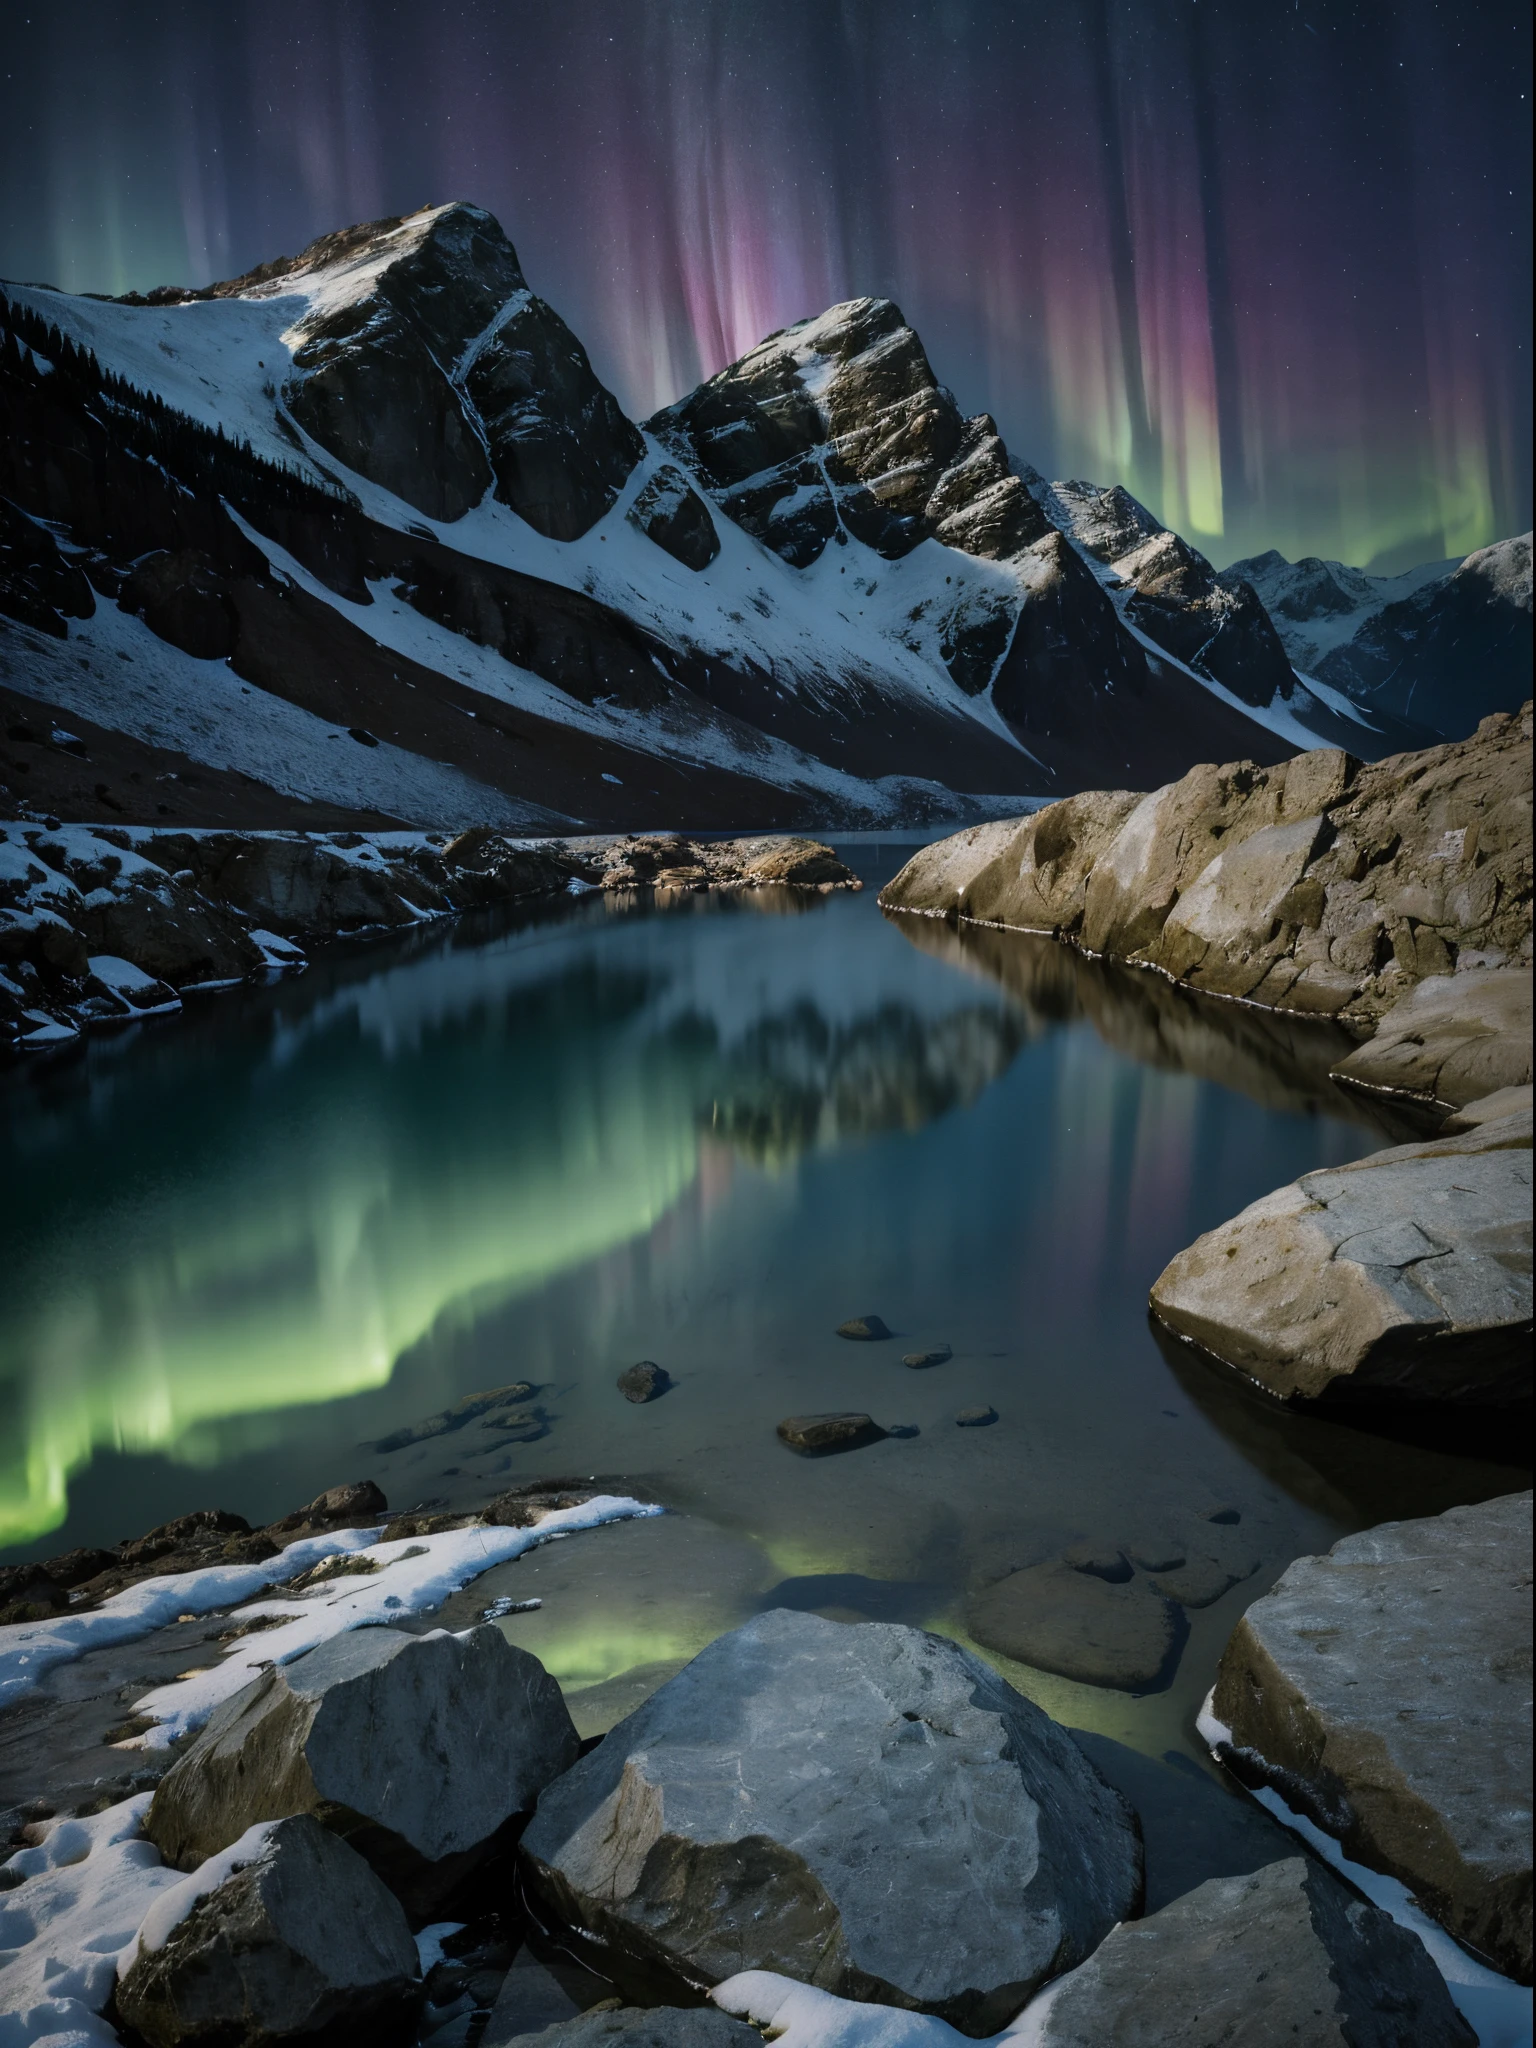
{"x": 1385, "y": 1689}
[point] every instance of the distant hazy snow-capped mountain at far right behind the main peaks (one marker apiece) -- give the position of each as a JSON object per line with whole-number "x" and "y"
{"x": 1445, "y": 644}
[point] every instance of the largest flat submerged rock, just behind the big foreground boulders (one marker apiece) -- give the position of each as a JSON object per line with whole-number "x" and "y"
{"x": 1078, "y": 1623}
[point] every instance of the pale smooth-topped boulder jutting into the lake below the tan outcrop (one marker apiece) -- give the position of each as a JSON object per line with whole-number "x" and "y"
{"x": 1404, "y": 1277}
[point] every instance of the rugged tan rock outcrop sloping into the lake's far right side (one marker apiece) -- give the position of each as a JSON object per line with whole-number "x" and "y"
{"x": 1320, "y": 886}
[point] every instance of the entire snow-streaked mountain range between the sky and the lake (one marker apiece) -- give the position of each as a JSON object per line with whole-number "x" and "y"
{"x": 359, "y": 538}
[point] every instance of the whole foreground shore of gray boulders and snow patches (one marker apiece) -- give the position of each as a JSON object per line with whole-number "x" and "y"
{"x": 818, "y": 1828}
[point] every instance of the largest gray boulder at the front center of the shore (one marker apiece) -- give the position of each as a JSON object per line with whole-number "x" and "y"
{"x": 867, "y": 1809}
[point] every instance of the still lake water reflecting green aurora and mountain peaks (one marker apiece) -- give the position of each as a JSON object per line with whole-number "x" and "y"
{"x": 701, "y": 1132}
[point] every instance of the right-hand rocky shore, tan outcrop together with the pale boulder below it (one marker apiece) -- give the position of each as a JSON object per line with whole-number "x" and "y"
{"x": 1390, "y": 898}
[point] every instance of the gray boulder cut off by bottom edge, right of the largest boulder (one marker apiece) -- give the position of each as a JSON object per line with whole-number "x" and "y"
{"x": 1275, "y": 1959}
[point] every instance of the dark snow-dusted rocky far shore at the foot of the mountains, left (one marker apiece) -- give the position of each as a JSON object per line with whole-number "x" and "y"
{"x": 105, "y": 925}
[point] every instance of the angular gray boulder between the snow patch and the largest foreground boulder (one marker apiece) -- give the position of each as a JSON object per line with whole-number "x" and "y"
{"x": 413, "y": 1748}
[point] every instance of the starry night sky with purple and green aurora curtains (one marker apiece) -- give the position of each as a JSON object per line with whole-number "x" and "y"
{"x": 1265, "y": 263}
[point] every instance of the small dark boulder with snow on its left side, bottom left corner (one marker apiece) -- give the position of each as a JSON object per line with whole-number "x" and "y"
{"x": 298, "y": 1945}
